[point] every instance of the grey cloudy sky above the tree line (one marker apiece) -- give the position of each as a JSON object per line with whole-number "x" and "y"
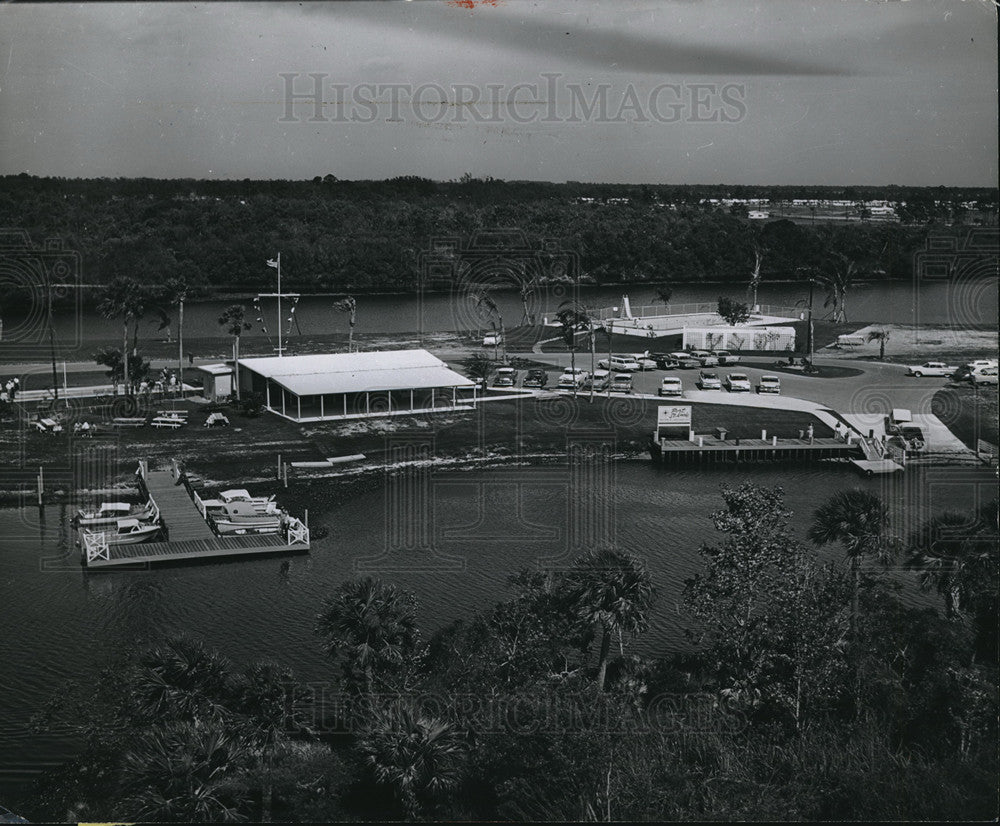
{"x": 630, "y": 91}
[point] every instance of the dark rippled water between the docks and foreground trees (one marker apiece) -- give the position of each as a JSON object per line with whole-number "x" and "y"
{"x": 59, "y": 622}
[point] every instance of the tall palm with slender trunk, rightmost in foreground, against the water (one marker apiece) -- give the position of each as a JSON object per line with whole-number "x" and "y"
{"x": 859, "y": 520}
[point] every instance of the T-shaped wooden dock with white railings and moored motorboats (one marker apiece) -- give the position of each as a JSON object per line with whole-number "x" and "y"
{"x": 189, "y": 536}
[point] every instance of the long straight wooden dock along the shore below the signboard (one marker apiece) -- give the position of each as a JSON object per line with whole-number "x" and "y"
{"x": 707, "y": 449}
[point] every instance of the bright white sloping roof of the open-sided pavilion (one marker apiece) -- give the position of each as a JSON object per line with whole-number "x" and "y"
{"x": 357, "y": 372}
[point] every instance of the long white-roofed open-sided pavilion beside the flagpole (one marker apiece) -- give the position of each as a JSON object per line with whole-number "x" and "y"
{"x": 355, "y": 385}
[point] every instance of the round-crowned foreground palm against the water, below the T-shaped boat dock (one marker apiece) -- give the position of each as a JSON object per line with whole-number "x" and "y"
{"x": 371, "y": 628}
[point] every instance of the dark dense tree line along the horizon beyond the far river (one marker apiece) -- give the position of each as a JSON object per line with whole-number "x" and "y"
{"x": 373, "y": 235}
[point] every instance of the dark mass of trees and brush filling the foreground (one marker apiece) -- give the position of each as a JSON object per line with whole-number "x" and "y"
{"x": 812, "y": 693}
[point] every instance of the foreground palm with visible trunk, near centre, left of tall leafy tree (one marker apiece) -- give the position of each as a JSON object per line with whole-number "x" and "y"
{"x": 614, "y": 590}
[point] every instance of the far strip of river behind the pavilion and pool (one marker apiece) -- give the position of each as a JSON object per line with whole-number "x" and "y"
{"x": 901, "y": 302}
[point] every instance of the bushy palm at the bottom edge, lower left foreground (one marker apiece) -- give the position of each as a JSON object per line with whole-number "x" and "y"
{"x": 186, "y": 772}
